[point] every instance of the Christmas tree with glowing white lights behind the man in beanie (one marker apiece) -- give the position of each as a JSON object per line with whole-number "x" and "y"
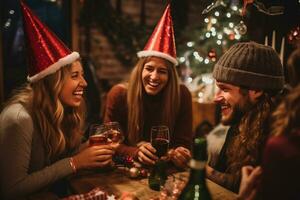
{"x": 222, "y": 27}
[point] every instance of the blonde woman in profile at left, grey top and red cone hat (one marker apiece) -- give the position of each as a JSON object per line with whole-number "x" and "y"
{"x": 41, "y": 125}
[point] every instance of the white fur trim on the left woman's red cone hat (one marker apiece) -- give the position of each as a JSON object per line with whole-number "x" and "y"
{"x": 54, "y": 67}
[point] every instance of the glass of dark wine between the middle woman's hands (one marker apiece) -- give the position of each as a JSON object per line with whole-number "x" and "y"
{"x": 160, "y": 140}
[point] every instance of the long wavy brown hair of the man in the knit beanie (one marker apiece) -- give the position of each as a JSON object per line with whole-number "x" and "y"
{"x": 253, "y": 130}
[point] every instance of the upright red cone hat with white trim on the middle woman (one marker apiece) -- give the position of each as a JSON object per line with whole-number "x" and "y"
{"x": 162, "y": 40}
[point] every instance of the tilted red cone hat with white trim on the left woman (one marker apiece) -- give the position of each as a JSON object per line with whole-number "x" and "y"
{"x": 46, "y": 52}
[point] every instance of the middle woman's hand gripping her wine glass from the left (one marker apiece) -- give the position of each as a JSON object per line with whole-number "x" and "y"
{"x": 146, "y": 153}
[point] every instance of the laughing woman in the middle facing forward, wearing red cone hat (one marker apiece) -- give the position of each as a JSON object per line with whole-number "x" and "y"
{"x": 153, "y": 96}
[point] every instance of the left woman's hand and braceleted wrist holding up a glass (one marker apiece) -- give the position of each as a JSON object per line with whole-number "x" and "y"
{"x": 94, "y": 156}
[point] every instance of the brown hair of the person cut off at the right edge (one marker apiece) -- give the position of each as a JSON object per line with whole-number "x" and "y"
{"x": 287, "y": 115}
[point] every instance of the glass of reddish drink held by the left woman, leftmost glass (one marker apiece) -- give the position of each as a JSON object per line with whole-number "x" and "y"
{"x": 97, "y": 135}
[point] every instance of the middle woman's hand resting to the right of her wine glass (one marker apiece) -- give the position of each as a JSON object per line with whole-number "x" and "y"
{"x": 180, "y": 156}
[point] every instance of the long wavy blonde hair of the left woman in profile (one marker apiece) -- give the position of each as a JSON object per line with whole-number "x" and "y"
{"x": 60, "y": 127}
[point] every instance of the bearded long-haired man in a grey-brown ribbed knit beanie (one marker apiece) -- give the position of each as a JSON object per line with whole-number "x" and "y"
{"x": 250, "y": 78}
